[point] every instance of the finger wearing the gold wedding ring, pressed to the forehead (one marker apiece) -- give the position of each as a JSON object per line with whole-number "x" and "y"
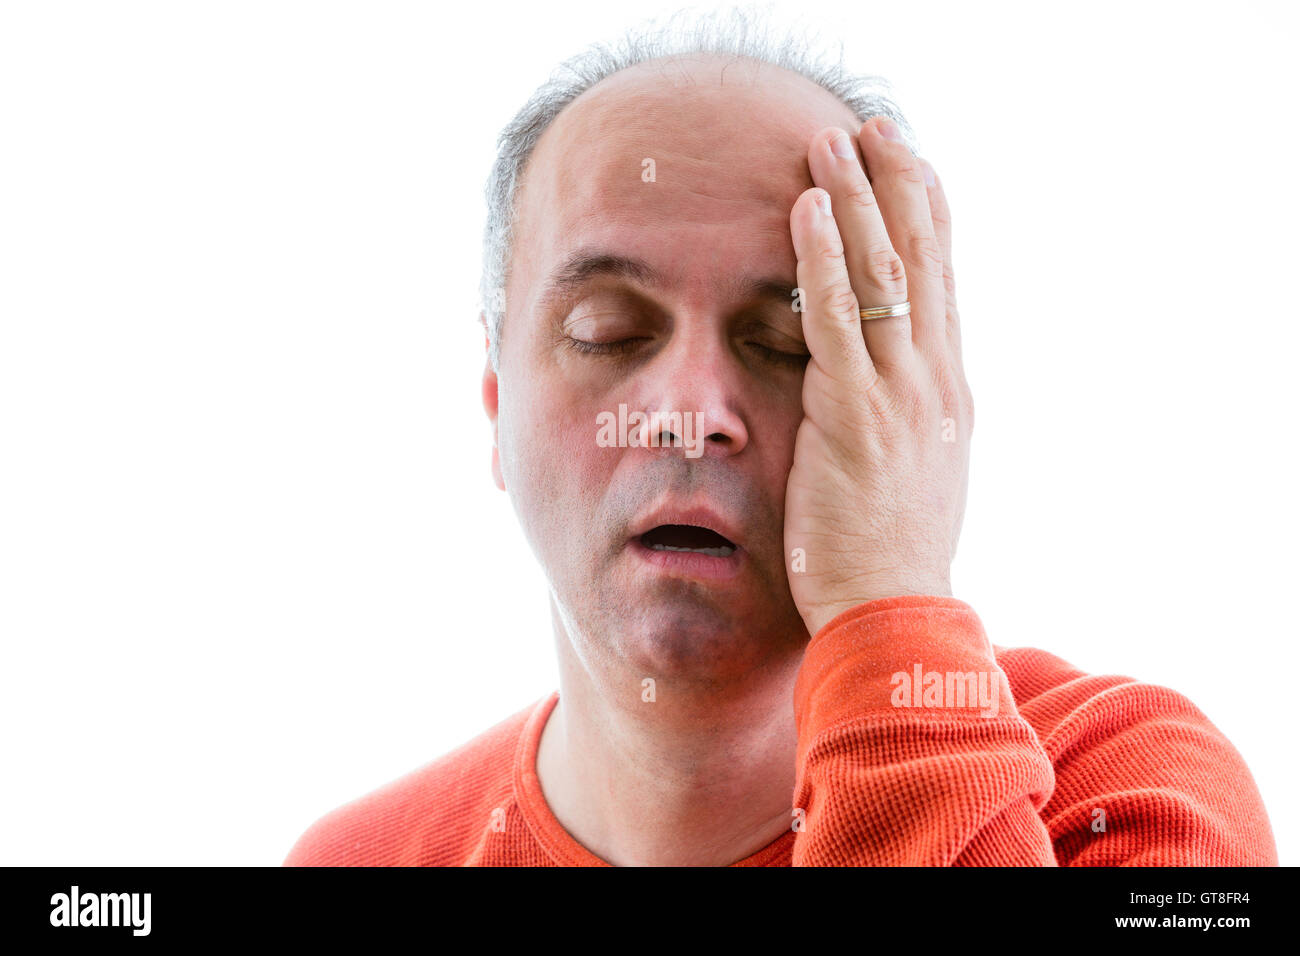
{"x": 876, "y": 270}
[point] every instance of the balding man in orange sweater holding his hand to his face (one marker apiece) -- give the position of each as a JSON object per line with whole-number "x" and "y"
{"x": 730, "y": 412}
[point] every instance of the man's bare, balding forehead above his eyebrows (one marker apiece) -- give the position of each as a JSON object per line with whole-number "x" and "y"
{"x": 669, "y": 154}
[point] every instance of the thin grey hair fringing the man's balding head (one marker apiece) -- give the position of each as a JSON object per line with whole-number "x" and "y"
{"x": 735, "y": 33}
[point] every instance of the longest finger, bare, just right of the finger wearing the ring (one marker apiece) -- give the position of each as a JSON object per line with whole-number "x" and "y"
{"x": 899, "y": 181}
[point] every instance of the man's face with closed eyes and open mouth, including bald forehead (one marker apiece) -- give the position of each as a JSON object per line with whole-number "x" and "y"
{"x": 703, "y": 325}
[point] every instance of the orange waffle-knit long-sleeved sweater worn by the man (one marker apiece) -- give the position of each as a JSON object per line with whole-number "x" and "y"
{"x": 1051, "y": 767}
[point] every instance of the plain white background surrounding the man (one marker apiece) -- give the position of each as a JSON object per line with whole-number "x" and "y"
{"x": 253, "y": 564}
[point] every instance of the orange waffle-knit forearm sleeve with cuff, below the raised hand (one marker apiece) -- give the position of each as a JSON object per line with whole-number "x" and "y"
{"x": 911, "y": 749}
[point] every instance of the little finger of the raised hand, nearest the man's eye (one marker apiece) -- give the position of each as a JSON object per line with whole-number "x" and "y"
{"x": 830, "y": 310}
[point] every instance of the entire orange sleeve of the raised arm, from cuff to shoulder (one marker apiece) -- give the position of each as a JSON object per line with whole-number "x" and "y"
{"x": 912, "y": 751}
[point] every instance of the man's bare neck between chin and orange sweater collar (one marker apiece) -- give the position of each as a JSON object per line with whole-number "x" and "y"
{"x": 694, "y": 778}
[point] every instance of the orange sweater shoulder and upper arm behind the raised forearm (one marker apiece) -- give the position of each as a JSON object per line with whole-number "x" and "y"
{"x": 1143, "y": 758}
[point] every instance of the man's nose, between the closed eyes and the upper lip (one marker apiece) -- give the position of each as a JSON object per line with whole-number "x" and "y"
{"x": 695, "y": 375}
